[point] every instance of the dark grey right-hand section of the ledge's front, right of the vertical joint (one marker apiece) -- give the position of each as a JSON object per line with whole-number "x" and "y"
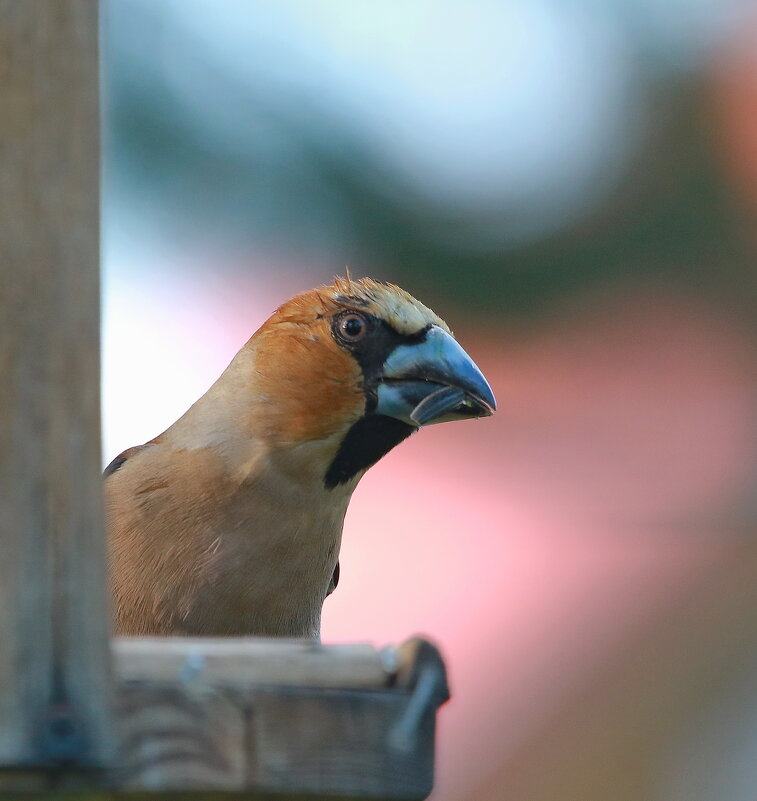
{"x": 339, "y": 742}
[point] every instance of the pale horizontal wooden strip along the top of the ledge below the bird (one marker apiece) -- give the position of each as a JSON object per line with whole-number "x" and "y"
{"x": 245, "y": 661}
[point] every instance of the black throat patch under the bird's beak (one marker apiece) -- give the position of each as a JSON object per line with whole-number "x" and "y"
{"x": 366, "y": 442}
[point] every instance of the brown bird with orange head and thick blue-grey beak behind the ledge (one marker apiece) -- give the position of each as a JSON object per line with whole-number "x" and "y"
{"x": 229, "y": 523}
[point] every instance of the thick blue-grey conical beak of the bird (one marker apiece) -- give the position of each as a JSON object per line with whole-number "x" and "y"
{"x": 433, "y": 381}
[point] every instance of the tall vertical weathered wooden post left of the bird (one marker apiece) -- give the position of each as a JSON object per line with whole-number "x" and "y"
{"x": 54, "y": 669}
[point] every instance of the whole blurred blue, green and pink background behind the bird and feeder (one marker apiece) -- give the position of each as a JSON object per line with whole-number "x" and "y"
{"x": 573, "y": 187}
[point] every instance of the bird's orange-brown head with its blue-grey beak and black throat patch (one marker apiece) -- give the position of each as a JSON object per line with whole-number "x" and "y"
{"x": 362, "y": 365}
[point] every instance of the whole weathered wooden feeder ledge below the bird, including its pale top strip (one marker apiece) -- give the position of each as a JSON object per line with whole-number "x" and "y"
{"x": 199, "y": 724}
